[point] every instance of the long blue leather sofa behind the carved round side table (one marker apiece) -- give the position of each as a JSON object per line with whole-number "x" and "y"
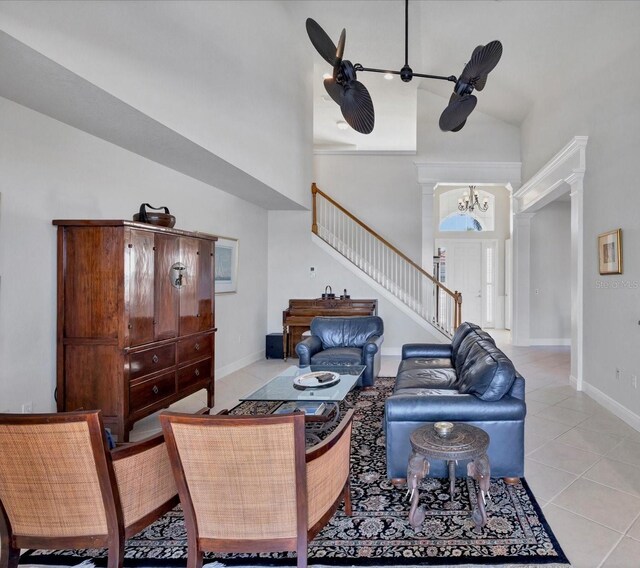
{"x": 469, "y": 380}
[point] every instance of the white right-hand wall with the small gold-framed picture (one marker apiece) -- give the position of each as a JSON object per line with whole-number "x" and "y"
{"x": 604, "y": 110}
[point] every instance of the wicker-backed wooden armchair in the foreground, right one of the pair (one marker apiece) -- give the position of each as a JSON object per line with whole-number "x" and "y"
{"x": 247, "y": 484}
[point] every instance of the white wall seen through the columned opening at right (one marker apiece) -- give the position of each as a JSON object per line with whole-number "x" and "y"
{"x": 550, "y": 288}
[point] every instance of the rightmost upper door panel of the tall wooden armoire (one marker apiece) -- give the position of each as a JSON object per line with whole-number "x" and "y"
{"x": 196, "y": 293}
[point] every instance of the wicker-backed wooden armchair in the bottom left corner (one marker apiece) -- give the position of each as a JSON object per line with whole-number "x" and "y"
{"x": 61, "y": 488}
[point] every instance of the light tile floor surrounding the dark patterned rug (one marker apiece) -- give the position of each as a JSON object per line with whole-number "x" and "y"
{"x": 582, "y": 462}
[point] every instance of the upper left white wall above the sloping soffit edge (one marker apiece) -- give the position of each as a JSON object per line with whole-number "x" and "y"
{"x": 182, "y": 64}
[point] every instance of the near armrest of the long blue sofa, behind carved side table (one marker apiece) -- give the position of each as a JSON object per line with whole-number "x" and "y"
{"x": 454, "y": 408}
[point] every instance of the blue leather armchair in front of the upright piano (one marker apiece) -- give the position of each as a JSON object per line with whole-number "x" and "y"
{"x": 344, "y": 341}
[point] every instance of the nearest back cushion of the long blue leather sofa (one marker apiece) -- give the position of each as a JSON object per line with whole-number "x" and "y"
{"x": 487, "y": 372}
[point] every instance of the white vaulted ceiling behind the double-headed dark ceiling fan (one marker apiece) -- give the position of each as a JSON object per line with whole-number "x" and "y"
{"x": 548, "y": 46}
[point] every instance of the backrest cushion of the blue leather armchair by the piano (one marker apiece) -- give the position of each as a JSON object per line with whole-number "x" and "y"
{"x": 346, "y": 331}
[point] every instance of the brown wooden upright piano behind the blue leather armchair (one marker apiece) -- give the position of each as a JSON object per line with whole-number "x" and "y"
{"x": 296, "y": 319}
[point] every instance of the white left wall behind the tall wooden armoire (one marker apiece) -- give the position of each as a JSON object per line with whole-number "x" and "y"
{"x": 51, "y": 171}
